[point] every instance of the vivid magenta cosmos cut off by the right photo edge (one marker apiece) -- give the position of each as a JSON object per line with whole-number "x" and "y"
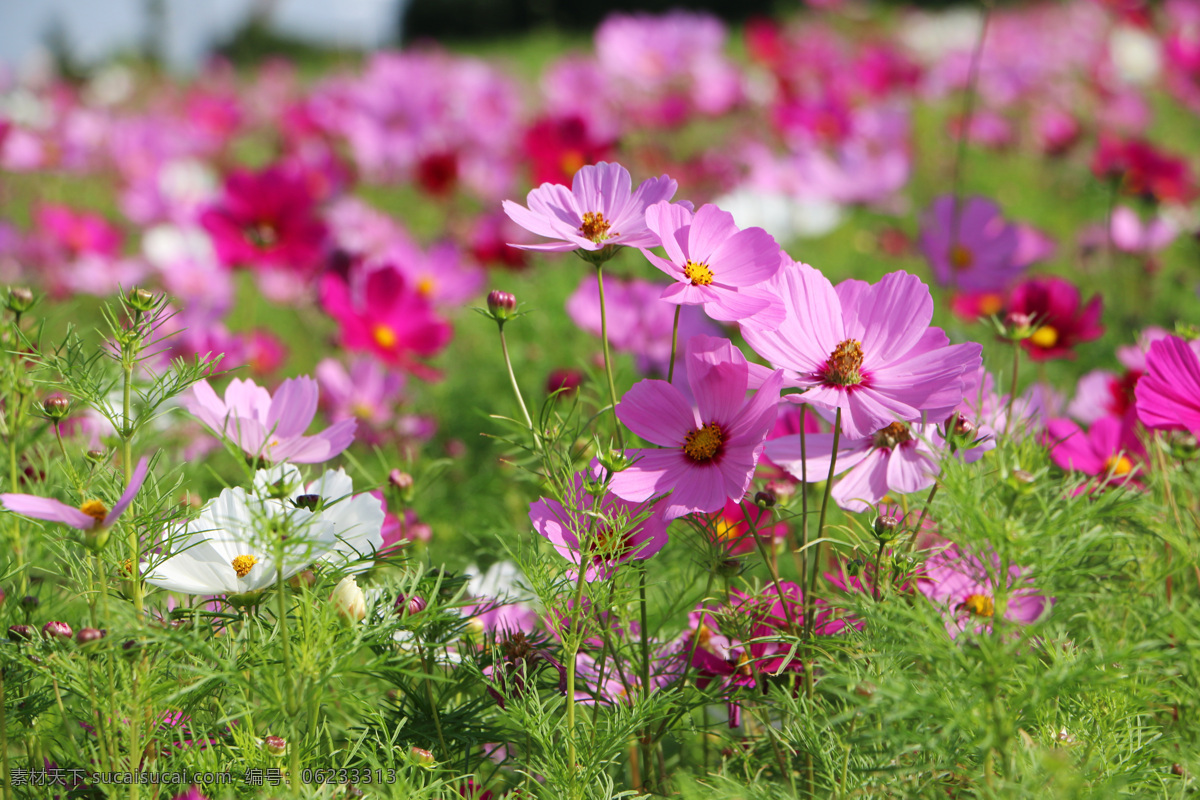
{"x": 1169, "y": 394}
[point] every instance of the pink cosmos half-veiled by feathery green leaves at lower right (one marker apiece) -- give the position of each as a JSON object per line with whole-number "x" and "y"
{"x": 965, "y": 590}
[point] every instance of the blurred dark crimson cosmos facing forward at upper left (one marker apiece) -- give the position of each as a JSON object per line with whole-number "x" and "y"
{"x": 267, "y": 220}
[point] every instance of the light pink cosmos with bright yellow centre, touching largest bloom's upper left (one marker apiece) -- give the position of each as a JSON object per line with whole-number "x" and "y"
{"x": 715, "y": 264}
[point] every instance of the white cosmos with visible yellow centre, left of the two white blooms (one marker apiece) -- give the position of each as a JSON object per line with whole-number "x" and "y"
{"x": 233, "y": 546}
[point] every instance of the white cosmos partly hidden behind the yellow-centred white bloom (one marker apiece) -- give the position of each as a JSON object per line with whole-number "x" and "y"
{"x": 357, "y": 520}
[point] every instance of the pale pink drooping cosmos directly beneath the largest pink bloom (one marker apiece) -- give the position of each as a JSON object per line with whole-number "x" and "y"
{"x": 901, "y": 459}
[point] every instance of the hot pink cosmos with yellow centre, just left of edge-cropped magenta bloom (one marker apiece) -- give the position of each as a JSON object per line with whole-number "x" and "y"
{"x": 1111, "y": 450}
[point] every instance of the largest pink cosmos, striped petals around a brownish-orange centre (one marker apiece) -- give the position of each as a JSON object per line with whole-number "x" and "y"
{"x": 867, "y": 350}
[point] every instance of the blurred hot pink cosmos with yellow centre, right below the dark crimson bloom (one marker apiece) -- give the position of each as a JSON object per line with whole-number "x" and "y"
{"x": 381, "y": 314}
